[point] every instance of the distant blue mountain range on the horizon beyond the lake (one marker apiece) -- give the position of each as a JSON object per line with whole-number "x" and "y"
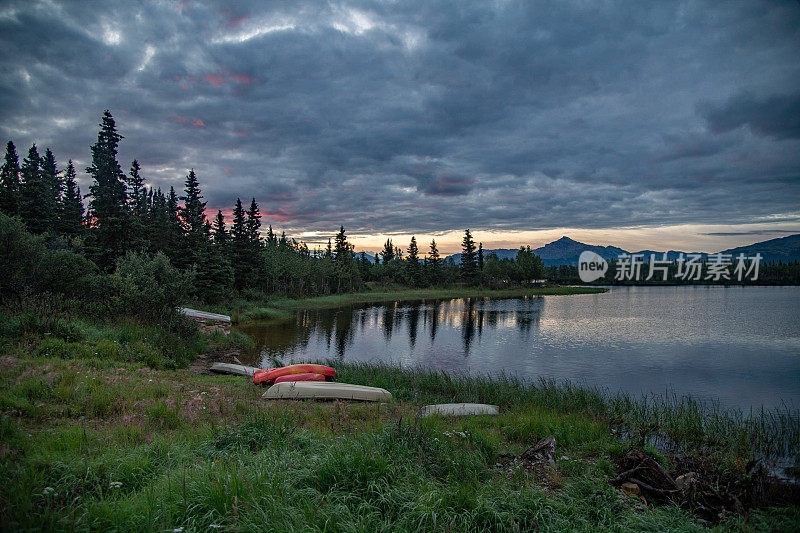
{"x": 565, "y": 251}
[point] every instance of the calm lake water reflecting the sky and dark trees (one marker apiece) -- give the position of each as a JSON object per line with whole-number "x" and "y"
{"x": 737, "y": 345}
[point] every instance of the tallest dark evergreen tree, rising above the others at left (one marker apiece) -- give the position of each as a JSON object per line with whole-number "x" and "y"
{"x": 108, "y": 207}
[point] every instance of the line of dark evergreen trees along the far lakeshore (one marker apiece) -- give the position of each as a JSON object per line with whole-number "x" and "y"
{"x": 123, "y": 215}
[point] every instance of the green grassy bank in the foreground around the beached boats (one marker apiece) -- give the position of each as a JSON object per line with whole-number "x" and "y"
{"x": 92, "y": 443}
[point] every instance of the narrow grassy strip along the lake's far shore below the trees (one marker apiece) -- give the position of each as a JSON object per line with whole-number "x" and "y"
{"x": 279, "y": 308}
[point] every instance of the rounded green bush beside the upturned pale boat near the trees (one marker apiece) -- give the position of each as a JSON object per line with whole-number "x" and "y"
{"x": 150, "y": 287}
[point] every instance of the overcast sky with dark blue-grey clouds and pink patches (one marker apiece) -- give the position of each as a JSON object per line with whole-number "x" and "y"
{"x": 520, "y": 120}
